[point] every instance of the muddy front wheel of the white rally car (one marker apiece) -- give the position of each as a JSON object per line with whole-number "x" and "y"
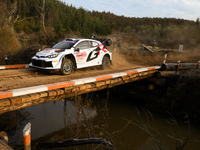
{"x": 67, "y": 67}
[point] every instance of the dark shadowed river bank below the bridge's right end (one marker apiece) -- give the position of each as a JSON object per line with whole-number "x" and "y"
{"x": 174, "y": 92}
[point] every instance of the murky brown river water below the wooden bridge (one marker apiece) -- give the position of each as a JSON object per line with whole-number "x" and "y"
{"x": 102, "y": 115}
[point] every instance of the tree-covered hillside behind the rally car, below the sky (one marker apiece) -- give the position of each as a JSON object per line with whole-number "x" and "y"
{"x": 39, "y": 22}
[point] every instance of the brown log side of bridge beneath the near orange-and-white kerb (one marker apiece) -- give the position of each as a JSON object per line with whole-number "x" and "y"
{"x": 18, "y": 102}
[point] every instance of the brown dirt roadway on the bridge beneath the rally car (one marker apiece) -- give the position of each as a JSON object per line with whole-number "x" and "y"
{"x": 19, "y": 78}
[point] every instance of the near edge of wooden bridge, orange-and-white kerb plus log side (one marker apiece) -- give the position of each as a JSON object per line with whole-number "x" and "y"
{"x": 25, "y": 97}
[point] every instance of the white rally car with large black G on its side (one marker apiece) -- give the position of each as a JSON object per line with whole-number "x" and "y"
{"x": 73, "y": 53}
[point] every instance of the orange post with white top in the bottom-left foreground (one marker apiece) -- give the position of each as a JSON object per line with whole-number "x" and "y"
{"x": 27, "y": 136}
